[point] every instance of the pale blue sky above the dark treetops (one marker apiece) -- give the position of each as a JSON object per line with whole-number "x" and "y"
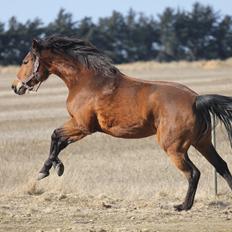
{"x": 47, "y": 10}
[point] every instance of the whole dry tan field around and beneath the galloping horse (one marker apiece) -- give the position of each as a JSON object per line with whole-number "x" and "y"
{"x": 109, "y": 184}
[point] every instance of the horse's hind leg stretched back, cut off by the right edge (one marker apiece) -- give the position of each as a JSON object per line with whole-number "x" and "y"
{"x": 210, "y": 153}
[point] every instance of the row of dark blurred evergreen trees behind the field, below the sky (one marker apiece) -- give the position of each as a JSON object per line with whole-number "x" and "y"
{"x": 173, "y": 35}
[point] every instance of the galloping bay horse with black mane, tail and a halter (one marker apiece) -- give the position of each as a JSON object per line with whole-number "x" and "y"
{"x": 103, "y": 99}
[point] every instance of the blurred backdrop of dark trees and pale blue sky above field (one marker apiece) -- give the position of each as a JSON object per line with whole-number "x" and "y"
{"x": 127, "y": 31}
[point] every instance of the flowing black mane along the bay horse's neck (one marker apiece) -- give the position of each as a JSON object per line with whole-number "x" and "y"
{"x": 83, "y": 51}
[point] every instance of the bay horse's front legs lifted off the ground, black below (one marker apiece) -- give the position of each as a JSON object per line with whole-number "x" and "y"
{"x": 60, "y": 139}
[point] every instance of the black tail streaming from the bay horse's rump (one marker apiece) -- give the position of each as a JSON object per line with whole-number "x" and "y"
{"x": 219, "y": 107}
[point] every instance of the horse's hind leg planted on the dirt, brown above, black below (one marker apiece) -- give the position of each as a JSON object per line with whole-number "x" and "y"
{"x": 185, "y": 165}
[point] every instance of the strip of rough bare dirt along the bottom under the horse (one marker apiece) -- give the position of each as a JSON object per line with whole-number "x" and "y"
{"x": 55, "y": 212}
